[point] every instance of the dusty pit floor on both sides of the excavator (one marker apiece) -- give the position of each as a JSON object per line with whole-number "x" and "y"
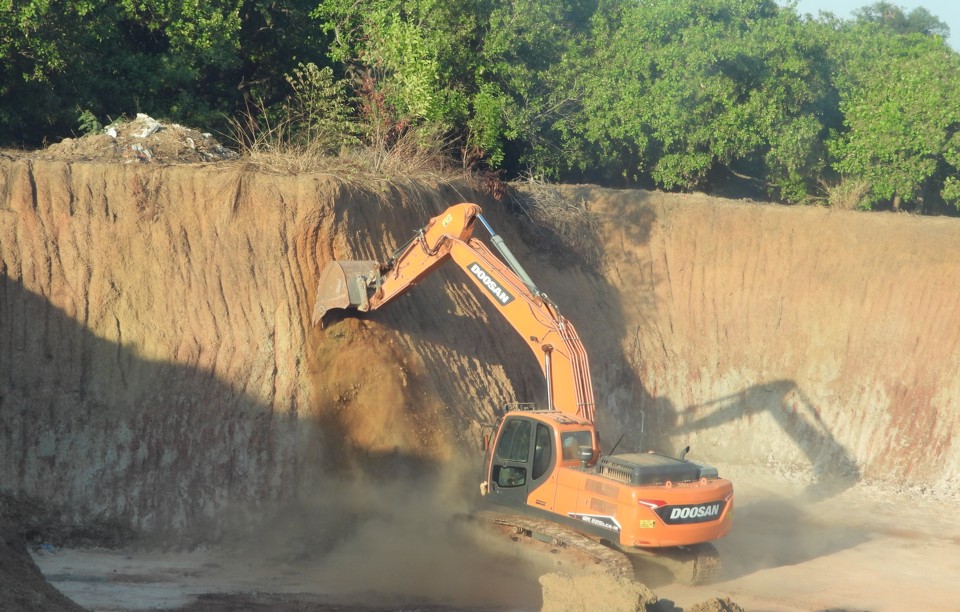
{"x": 790, "y": 549}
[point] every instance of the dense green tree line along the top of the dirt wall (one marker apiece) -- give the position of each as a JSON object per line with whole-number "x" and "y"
{"x": 725, "y": 96}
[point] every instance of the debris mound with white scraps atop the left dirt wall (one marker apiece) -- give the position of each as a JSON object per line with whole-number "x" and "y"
{"x": 144, "y": 139}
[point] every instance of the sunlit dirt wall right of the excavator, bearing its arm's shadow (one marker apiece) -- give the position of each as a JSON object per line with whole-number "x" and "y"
{"x": 796, "y": 338}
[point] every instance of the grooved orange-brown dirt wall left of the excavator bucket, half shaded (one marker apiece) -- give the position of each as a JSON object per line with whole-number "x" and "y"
{"x": 156, "y": 347}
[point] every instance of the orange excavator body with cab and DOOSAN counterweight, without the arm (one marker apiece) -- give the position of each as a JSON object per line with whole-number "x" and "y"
{"x": 546, "y": 464}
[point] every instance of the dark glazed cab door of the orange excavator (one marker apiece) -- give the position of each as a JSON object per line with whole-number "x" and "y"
{"x": 522, "y": 461}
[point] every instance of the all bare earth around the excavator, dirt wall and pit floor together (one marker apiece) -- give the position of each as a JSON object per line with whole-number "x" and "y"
{"x": 162, "y": 389}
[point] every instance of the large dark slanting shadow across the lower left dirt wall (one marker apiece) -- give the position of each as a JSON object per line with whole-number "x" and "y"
{"x": 98, "y": 445}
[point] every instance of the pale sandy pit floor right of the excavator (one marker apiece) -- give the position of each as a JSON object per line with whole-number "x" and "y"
{"x": 862, "y": 549}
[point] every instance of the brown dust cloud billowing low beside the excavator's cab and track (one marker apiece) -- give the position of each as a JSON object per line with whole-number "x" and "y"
{"x": 376, "y": 541}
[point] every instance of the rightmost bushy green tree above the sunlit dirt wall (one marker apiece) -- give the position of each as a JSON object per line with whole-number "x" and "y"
{"x": 900, "y": 97}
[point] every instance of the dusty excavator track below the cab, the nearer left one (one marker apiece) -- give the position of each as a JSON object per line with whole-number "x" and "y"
{"x": 586, "y": 552}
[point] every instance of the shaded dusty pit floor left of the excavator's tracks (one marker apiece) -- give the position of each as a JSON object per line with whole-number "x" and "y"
{"x": 451, "y": 570}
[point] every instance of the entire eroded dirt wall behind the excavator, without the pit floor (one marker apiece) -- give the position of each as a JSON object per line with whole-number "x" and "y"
{"x": 158, "y": 369}
